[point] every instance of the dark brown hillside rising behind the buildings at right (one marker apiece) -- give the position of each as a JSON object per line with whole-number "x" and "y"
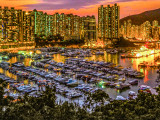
{"x": 142, "y": 17}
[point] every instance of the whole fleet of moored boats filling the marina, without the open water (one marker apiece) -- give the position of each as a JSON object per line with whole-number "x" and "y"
{"x": 76, "y": 77}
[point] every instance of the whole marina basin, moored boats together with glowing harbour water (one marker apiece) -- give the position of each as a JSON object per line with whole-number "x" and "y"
{"x": 75, "y": 72}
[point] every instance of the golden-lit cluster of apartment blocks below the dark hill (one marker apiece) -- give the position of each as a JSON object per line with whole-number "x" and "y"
{"x": 145, "y": 31}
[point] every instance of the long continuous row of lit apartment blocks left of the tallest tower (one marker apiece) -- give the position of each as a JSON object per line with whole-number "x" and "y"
{"x": 17, "y": 25}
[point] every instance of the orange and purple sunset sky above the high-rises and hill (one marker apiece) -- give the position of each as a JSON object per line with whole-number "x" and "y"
{"x": 82, "y": 8}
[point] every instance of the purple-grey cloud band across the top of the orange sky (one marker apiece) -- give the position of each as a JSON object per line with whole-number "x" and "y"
{"x": 71, "y": 4}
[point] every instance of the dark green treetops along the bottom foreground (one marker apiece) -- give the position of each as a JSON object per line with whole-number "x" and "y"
{"x": 145, "y": 107}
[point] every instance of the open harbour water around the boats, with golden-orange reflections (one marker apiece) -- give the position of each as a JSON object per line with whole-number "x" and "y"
{"x": 149, "y": 79}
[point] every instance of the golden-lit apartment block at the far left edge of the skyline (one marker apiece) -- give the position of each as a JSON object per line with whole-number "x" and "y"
{"x": 10, "y": 24}
